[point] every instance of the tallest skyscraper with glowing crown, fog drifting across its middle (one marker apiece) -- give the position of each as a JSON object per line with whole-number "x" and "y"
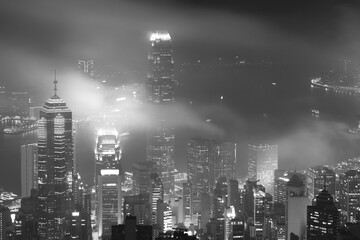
{"x": 160, "y": 142}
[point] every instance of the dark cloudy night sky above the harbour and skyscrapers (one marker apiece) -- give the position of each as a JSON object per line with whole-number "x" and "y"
{"x": 38, "y": 37}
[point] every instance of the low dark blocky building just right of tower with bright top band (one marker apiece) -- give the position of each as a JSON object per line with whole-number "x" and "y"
{"x": 139, "y": 206}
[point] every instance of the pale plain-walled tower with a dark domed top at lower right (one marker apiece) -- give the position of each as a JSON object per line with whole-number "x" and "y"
{"x": 296, "y": 205}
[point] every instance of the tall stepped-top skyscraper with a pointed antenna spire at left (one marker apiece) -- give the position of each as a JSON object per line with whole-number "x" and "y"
{"x": 55, "y": 166}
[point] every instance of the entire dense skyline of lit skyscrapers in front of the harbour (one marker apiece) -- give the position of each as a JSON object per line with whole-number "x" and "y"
{"x": 154, "y": 201}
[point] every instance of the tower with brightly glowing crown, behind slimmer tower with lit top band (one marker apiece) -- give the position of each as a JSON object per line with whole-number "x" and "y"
{"x": 107, "y": 151}
